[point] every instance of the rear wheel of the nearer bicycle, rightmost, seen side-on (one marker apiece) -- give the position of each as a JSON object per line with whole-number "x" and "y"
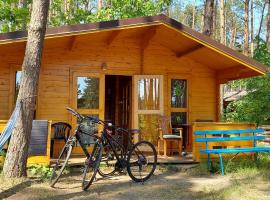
{"x": 142, "y": 161}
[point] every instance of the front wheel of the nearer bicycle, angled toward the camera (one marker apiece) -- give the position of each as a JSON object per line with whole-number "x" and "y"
{"x": 92, "y": 165}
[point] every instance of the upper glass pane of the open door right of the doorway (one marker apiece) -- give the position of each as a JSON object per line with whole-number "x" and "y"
{"x": 148, "y": 94}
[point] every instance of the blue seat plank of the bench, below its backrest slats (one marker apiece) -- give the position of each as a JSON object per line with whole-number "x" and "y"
{"x": 236, "y": 150}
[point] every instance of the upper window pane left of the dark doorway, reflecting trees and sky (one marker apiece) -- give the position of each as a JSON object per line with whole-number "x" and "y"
{"x": 88, "y": 93}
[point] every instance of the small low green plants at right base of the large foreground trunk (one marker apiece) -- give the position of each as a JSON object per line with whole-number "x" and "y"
{"x": 44, "y": 172}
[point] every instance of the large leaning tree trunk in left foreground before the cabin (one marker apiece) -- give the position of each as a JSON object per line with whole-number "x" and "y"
{"x": 15, "y": 163}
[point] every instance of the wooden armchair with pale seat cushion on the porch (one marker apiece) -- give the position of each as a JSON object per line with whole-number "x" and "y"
{"x": 166, "y": 135}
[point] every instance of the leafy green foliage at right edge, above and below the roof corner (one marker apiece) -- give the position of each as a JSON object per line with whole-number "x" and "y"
{"x": 254, "y": 107}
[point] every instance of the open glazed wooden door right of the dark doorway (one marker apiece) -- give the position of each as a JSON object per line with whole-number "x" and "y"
{"x": 148, "y": 105}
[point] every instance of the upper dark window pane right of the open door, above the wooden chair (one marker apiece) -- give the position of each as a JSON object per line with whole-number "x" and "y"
{"x": 178, "y": 93}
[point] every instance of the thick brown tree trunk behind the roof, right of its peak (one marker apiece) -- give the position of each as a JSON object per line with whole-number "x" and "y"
{"x": 208, "y": 17}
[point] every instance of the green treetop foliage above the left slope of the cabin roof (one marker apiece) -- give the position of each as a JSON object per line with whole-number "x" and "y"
{"x": 14, "y": 16}
